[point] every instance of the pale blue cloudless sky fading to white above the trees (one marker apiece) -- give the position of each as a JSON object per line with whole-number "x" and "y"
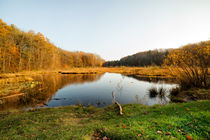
{"x": 112, "y": 28}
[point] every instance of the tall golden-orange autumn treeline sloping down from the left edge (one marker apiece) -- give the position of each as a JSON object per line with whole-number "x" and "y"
{"x": 21, "y": 50}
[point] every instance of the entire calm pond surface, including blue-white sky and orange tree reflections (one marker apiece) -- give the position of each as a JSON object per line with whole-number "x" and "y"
{"x": 89, "y": 89}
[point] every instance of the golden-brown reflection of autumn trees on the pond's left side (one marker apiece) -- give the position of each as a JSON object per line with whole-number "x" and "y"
{"x": 48, "y": 85}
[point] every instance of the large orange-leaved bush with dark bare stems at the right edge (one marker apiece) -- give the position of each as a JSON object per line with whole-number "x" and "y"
{"x": 190, "y": 64}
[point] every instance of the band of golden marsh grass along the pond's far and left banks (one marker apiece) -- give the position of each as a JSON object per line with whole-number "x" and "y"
{"x": 15, "y": 82}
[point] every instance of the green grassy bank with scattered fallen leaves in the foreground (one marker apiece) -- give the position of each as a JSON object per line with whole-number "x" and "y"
{"x": 138, "y": 121}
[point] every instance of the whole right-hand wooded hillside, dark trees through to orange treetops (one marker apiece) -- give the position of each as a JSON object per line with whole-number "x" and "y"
{"x": 157, "y": 57}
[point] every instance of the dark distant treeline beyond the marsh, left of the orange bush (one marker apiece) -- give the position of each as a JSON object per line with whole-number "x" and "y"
{"x": 147, "y": 58}
